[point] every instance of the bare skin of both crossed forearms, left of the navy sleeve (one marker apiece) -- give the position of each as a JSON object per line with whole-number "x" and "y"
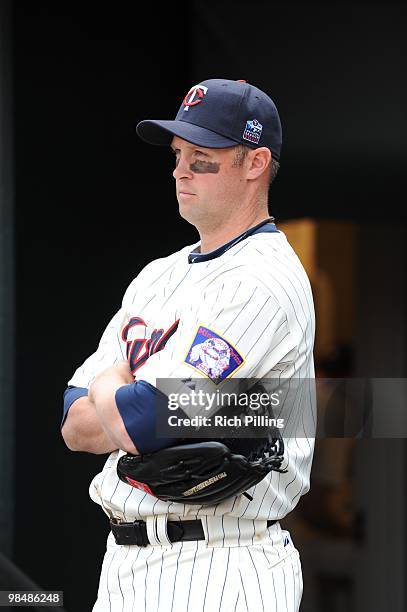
{"x": 93, "y": 423}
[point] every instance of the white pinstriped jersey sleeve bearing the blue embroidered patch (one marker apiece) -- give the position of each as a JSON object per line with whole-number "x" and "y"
{"x": 231, "y": 329}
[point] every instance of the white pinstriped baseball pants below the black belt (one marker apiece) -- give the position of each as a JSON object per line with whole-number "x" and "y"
{"x": 241, "y": 567}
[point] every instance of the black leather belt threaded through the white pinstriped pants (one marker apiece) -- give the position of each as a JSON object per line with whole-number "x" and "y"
{"x": 136, "y": 533}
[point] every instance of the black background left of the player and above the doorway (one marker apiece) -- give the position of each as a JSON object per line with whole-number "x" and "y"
{"x": 93, "y": 204}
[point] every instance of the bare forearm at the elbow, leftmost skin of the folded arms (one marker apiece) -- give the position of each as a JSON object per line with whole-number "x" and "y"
{"x": 83, "y": 431}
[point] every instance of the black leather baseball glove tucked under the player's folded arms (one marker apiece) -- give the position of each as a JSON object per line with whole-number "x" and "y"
{"x": 202, "y": 473}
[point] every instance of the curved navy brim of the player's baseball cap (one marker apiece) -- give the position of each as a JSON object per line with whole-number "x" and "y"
{"x": 161, "y": 132}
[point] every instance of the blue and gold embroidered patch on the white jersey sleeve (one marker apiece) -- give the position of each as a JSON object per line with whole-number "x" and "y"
{"x": 213, "y": 355}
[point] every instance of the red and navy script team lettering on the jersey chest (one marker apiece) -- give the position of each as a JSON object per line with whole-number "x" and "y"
{"x": 138, "y": 347}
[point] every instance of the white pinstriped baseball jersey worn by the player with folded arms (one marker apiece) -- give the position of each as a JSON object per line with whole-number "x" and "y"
{"x": 256, "y": 296}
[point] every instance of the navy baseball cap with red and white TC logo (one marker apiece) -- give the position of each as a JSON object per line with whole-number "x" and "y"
{"x": 220, "y": 113}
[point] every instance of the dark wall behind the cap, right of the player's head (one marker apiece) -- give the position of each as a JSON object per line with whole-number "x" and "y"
{"x": 335, "y": 71}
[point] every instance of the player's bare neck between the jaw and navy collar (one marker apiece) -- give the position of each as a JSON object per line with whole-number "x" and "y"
{"x": 214, "y": 237}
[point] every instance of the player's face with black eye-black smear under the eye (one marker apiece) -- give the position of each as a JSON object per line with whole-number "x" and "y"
{"x": 208, "y": 183}
